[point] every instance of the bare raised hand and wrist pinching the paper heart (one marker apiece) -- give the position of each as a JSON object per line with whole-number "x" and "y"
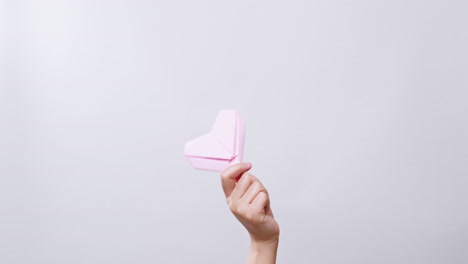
{"x": 249, "y": 202}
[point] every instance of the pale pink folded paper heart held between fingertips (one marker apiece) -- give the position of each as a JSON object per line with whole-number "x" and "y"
{"x": 222, "y": 147}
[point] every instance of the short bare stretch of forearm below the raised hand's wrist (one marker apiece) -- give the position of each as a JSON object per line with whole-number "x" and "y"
{"x": 263, "y": 252}
